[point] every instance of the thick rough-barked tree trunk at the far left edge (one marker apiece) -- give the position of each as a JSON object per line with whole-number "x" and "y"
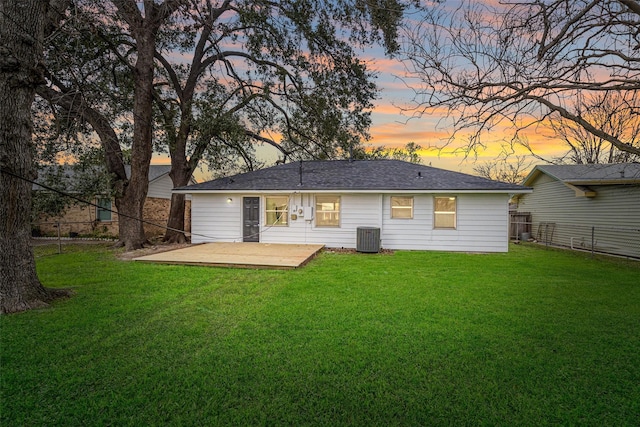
{"x": 20, "y": 72}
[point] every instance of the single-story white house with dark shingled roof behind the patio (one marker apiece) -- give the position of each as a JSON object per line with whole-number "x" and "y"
{"x": 334, "y": 203}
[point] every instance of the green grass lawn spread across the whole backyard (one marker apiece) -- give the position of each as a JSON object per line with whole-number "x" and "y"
{"x": 533, "y": 337}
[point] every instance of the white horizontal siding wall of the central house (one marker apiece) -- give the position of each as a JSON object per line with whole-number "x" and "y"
{"x": 482, "y": 222}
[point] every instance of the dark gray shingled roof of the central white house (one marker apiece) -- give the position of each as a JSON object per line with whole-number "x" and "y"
{"x": 359, "y": 175}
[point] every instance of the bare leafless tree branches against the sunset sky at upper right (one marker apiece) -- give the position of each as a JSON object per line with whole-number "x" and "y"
{"x": 516, "y": 64}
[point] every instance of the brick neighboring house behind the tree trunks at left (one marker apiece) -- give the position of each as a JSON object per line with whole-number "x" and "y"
{"x": 81, "y": 219}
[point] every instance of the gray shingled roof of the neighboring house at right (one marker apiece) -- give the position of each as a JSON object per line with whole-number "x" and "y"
{"x": 590, "y": 173}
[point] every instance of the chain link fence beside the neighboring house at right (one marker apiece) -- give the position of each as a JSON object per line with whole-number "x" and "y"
{"x": 621, "y": 241}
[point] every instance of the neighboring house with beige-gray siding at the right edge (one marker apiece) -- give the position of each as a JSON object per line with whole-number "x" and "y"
{"x": 581, "y": 206}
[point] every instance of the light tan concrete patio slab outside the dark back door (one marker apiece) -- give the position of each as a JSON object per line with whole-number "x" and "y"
{"x": 240, "y": 255}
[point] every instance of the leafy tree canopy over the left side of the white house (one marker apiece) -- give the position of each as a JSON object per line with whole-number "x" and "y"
{"x": 227, "y": 75}
